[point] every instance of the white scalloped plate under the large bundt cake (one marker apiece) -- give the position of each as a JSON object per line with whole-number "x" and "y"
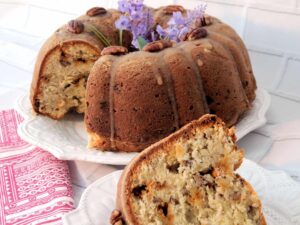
{"x": 66, "y": 139}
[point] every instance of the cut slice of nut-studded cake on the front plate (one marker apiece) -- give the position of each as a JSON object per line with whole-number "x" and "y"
{"x": 188, "y": 178}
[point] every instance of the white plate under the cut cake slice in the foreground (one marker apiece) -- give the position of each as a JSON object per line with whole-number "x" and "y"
{"x": 280, "y": 196}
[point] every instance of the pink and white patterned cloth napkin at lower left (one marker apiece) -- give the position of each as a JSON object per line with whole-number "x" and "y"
{"x": 35, "y": 187}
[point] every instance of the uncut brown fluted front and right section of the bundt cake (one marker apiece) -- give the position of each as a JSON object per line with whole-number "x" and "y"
{"x": 136, "y": 99}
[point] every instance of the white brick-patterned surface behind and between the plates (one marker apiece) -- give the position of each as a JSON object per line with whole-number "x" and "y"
{"x": 270, "y": 29}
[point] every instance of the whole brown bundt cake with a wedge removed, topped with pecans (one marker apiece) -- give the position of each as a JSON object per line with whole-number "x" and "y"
{"x": 134, "y": 99}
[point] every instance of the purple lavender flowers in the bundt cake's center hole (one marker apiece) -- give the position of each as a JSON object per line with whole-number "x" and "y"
{"x": 138, "y": 19}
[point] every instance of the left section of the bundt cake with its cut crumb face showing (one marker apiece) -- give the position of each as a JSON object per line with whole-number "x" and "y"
{"x": 65, "y": 60}
